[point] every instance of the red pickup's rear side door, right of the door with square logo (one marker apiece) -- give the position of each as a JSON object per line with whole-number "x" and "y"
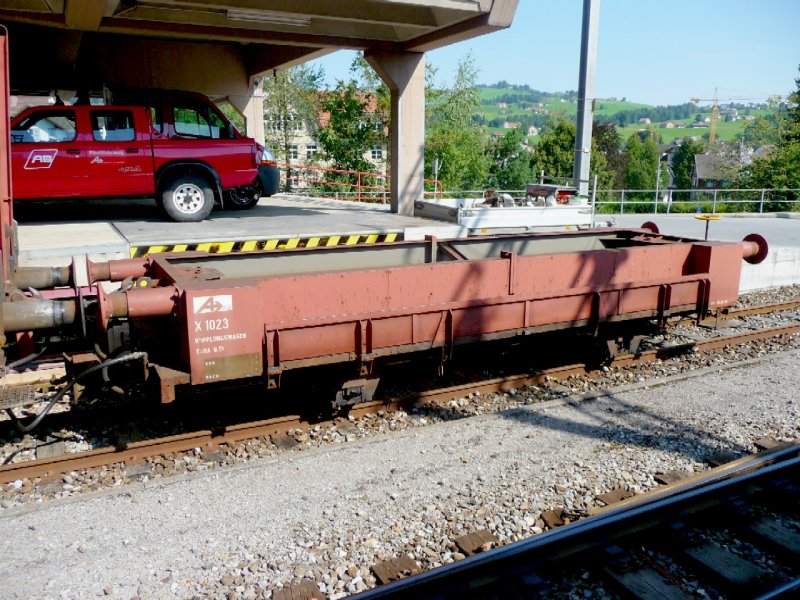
{"x": 119, "y": 157}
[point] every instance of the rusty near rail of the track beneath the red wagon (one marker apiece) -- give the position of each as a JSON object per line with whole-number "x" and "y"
{"x": 138, "y": 452}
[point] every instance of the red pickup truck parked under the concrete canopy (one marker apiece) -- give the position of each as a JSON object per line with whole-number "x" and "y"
{"x": 174, "y": 146}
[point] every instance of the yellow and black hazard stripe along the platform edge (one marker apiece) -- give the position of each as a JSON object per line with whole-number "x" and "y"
{"x": 273, "y": 244}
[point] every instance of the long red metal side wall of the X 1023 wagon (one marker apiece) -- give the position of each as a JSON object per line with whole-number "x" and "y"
{"x": 319, "y": 315}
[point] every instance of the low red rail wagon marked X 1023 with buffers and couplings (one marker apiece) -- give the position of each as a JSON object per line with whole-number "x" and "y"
{"x": 203, "y": 319}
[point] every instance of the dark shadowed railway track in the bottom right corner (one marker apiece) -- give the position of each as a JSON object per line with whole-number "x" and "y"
{"x": 731, "y": 532}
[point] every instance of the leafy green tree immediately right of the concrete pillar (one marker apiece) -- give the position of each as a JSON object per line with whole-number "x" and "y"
{"x": 451, "y": 137}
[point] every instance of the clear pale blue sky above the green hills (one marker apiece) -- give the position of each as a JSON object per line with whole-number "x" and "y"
{"x": 651, "y": 51}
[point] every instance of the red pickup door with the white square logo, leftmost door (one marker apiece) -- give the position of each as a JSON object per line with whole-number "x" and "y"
{"x": 46, "y": 155}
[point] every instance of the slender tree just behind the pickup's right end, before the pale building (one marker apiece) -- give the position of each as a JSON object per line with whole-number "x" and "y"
{"x": 290, "y": 108}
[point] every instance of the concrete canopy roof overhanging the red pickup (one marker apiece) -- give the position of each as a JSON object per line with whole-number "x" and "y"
{"x": 213, "y": 45}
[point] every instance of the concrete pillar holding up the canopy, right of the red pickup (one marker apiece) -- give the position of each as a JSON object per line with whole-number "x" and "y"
{"x": 404, "y": 74}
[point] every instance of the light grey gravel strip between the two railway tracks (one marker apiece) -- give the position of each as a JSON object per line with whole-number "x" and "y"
{"x": 329, "y": 513}
